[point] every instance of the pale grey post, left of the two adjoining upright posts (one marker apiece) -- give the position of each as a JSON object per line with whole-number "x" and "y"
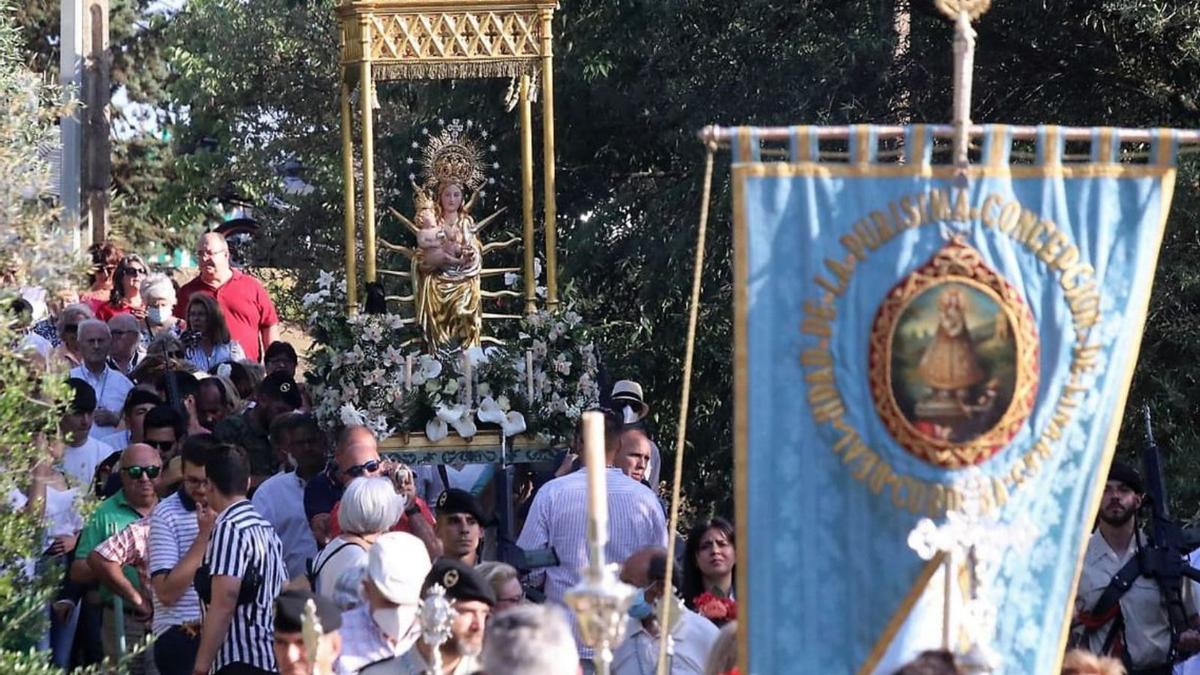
{"x": 70, "y": 128}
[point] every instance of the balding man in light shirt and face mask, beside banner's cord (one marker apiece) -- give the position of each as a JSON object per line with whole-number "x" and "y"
{"x": 692, "y": 635}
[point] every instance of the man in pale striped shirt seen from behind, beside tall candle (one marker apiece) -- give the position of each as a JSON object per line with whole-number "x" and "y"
{"x": 559, "y": 519}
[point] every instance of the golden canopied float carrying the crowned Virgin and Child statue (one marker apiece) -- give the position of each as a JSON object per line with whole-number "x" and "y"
{"x": 433, "y": 40}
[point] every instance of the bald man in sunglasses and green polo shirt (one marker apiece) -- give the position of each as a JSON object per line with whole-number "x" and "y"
{"x": 140, "y": 468}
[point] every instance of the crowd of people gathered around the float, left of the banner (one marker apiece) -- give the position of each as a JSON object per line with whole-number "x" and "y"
{"x": 230, "y": 523}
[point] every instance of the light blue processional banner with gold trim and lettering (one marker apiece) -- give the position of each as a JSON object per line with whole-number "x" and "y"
{"x": 897, "y": 327}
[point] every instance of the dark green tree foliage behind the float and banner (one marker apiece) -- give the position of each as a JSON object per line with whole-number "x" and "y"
{"x": 635, "y": 81}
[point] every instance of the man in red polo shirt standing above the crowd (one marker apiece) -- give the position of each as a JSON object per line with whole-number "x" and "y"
{"x": 249, "y": 310}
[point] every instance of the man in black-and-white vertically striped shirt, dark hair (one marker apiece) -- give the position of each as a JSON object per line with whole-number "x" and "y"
{"x": 242, "y": 576}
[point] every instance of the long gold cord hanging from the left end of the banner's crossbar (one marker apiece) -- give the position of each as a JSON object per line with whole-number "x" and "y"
{"x": 685, "y": 397}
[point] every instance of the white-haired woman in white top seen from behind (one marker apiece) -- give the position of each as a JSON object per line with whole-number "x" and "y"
{"x": 369, "y": 509}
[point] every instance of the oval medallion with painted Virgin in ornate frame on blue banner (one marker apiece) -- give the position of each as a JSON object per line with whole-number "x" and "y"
{"x": 955, "y": 360}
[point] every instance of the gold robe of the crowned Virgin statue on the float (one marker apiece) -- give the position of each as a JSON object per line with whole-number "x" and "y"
{"x": 448, "y": 301}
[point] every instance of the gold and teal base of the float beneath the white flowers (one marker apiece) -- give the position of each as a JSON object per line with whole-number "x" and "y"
{"x": 485, "y": 447}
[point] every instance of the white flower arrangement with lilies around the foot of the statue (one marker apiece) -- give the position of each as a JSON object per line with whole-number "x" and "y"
{"x": 367, "y": 371}
